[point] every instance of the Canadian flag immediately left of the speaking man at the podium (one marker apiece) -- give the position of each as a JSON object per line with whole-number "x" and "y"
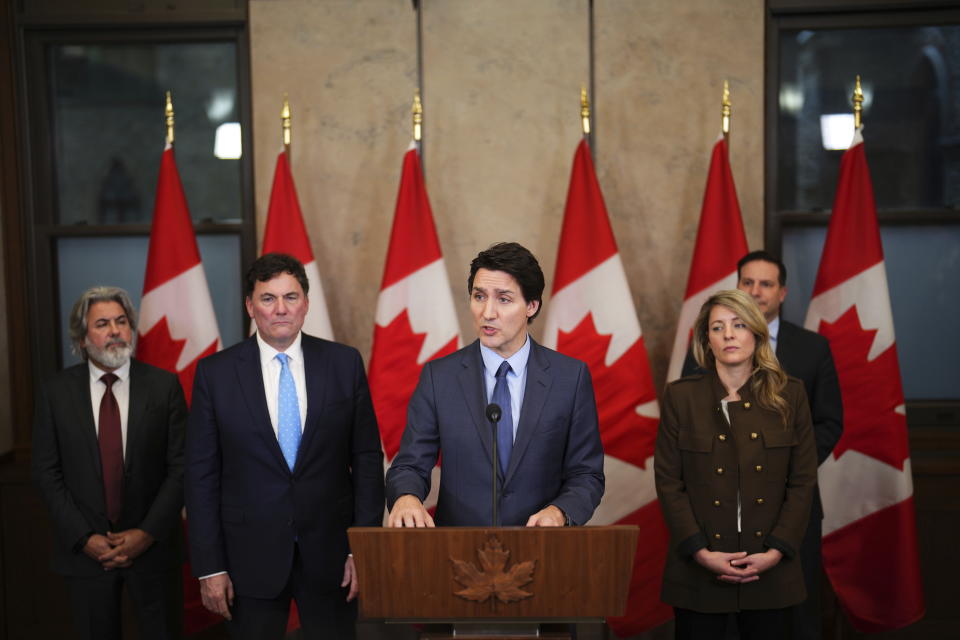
{"x": 415, "y": 317}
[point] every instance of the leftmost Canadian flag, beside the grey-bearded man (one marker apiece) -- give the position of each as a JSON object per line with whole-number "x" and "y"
{"x": 177, "y": 322}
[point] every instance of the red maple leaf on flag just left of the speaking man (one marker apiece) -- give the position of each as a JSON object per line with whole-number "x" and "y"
{"x": 390, "y": 401}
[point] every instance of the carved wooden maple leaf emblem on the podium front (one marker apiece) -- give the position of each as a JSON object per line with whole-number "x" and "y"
{"x": 492, "y": 580}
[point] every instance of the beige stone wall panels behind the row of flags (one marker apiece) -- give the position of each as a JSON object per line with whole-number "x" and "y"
{"x": 501, "y": 99}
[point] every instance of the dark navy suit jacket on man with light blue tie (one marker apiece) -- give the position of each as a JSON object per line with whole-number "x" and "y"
{"x": 245, "y": 507}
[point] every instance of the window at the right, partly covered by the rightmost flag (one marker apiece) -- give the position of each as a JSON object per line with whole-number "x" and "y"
{"x": 909, "y": 63}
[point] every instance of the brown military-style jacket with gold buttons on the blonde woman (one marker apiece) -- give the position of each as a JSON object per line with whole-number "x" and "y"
{"x": 703, "y": 464}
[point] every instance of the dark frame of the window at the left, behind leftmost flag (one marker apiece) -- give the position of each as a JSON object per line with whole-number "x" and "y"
{"x": 40, "y": 225}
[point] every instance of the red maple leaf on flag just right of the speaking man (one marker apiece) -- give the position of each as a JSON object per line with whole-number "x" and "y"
{"x": 624, "y": 432}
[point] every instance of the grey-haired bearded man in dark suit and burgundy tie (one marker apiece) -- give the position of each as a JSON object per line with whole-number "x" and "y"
{"x": 108, "y": 441}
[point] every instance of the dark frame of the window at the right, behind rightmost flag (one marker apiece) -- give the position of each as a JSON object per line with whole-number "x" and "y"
{"x": 790, "y": 15}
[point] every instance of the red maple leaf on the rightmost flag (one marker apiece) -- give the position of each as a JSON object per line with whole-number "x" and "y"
{"x": 871, "y": 392}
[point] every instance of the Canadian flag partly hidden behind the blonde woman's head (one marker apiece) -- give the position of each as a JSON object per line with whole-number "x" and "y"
{"x": 721, "y": 243}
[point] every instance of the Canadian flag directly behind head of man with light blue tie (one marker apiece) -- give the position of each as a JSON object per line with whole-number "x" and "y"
{"x": 285, "y": 232}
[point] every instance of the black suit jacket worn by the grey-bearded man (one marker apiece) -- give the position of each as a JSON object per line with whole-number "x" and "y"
{"x": 66, "y": 466}
